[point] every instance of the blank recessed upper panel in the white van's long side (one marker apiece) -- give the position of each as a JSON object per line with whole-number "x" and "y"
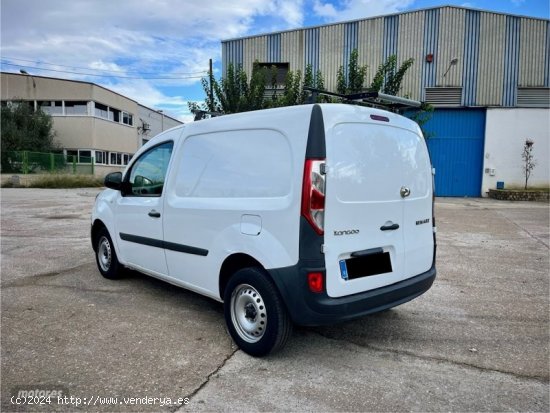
{"x": 235, "y": 164}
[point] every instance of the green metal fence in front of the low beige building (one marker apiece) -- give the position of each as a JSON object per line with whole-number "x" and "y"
{"x": 27, "y": 162}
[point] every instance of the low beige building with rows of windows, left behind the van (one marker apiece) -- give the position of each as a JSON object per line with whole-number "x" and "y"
{"x": 90, "y": 121}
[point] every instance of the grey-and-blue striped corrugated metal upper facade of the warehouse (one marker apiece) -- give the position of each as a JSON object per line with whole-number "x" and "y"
{"x": 496, "y": 53}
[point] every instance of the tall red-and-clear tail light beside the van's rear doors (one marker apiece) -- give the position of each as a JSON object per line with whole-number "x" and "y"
{"x": 313, "y": 194}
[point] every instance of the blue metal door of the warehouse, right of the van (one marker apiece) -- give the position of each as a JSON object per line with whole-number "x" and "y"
{"x": 456, "y": 149}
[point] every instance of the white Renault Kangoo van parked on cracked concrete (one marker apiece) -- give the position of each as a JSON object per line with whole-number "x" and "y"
{"x": 308, "y": 214}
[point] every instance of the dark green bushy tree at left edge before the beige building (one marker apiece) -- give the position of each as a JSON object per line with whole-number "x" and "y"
{"x": 24, "y": 129}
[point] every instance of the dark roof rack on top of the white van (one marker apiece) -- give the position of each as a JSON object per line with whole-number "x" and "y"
{"x": 369, "y": 98}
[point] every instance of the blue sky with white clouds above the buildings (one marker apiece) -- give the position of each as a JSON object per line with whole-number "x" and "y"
{"x": 156, "y": 51}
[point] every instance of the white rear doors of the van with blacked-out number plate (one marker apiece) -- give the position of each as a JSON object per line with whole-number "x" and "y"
{"x": 378, "y": 216}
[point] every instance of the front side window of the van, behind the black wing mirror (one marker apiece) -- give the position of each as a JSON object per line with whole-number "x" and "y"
{"x": 149, "y": 171}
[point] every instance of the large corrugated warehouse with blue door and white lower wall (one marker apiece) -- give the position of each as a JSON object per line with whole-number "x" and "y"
{"x": 487, "y": 74}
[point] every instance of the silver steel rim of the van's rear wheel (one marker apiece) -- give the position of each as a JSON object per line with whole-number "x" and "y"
{"x": 248, "y": 313}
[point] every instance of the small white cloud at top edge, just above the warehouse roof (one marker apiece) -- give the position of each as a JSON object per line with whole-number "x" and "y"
{"x": 340, "y": 10}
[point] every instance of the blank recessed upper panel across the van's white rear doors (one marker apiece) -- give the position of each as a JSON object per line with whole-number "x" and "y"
{"x": 371, "y": 162}
